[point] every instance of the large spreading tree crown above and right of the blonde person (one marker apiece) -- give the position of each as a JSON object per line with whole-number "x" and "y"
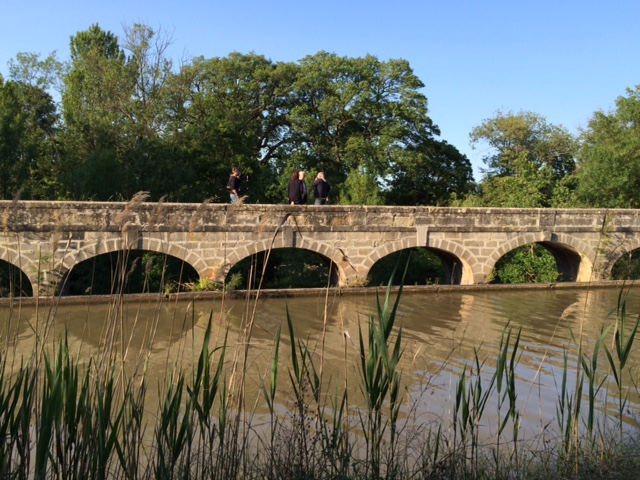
{"x": 352, "y": 113}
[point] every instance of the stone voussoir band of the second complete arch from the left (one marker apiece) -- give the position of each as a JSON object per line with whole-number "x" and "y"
{"x": 334, "y": 255}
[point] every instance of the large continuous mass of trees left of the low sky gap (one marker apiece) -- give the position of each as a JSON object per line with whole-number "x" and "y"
{"x": 130, "y": 120}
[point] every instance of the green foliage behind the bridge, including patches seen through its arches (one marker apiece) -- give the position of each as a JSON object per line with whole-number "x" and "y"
{"x": 119, "y": 117}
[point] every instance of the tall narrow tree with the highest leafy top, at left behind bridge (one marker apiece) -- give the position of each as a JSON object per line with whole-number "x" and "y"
{"x": 96, "y": 86}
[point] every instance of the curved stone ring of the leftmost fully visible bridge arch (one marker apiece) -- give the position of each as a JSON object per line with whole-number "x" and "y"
{"x": 92, "y": 252}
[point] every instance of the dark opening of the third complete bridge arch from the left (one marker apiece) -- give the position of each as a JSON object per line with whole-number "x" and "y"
{"x": 426, "y": 266}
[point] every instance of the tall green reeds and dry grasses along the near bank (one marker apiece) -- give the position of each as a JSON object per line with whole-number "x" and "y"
{"x": 95, "y": 414}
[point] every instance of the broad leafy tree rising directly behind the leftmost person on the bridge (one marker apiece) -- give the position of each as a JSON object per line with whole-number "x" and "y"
{"x": 228, "y": 112}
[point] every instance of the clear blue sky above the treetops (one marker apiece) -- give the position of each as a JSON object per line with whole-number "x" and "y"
{"x": 561, "y": 59}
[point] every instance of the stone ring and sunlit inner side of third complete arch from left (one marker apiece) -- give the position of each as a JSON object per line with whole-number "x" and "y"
{"x": 456, "y": 261}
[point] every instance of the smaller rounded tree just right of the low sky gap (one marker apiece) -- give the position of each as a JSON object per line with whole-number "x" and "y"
{"x": 527, "y": 160}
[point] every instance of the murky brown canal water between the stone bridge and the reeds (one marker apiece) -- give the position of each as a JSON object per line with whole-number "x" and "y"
{"x": 442, "y": 334}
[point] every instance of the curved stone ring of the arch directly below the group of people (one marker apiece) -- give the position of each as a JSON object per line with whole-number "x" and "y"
{"x": 334, "y": 258}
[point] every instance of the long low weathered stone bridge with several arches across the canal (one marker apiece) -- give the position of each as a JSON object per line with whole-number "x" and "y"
{"x": 47, "y": 239}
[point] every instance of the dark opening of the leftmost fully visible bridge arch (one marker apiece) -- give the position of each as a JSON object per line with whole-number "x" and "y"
{"x": 128, "y": 271}
